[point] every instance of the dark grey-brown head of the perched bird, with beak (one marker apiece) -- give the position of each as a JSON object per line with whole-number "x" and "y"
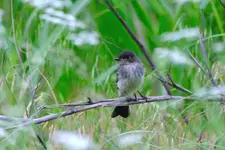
{"x": 127, "y": 57}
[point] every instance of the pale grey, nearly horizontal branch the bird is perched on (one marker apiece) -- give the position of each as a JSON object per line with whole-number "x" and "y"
{"x": 121, "y": 101}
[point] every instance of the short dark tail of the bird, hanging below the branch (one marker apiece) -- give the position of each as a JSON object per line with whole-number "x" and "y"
{"x": 123, "y": 111}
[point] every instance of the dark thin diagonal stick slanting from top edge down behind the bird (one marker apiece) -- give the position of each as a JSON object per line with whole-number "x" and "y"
{"x": 141, "y": 46}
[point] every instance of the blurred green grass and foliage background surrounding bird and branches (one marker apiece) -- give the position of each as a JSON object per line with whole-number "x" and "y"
{"x": 66, "y": 48}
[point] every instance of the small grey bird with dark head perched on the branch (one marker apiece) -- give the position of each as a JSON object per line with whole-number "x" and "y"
{"x": 130, "y": 75}
